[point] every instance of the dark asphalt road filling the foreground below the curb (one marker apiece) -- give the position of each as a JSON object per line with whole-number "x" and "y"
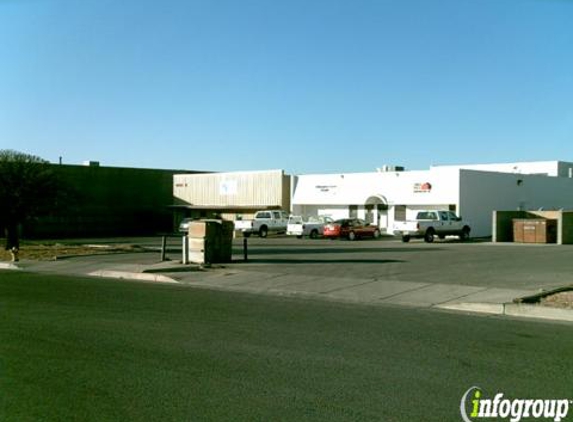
{"x": 102, "y": 350}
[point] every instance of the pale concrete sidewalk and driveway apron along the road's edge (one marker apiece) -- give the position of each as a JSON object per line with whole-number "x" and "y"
{"x": 230, "y": 277}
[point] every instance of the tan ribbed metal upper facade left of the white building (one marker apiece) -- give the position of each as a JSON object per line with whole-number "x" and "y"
{"x": 226, "y": 191}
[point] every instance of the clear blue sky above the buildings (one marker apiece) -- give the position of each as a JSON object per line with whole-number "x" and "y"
{"x": 309, "y": 86}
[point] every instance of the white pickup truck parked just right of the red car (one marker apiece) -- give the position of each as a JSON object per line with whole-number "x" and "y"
{"x": 429, "y": 224}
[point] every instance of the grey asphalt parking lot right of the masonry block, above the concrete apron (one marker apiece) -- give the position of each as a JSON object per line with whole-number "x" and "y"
{"x": 474, "y": 263}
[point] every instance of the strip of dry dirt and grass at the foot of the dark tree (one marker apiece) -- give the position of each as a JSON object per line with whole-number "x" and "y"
{"x": 49, "y": 252}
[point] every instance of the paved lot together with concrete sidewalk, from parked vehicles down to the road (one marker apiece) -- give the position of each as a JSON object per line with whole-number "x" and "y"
{"x": 474, "y": 277}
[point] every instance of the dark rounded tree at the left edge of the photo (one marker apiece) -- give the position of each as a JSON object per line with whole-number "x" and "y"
{"x": 28, "y": 188}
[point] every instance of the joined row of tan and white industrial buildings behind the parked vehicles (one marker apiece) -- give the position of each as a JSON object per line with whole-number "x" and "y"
{"x": 384, "y": 196}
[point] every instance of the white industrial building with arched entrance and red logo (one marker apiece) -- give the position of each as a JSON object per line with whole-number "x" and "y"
{"x": 473, "y": 191}
